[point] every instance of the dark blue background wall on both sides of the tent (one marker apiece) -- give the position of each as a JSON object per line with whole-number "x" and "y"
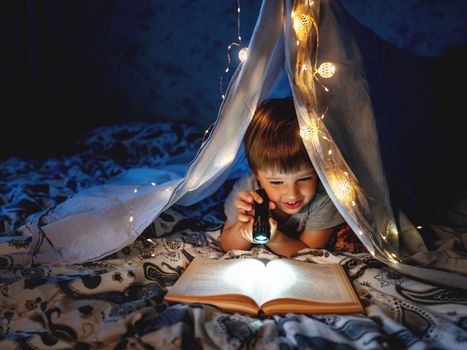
{"x": 69, "y": 66}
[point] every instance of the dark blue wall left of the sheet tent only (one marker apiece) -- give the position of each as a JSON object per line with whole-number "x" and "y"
{"x": 68, "y": 66}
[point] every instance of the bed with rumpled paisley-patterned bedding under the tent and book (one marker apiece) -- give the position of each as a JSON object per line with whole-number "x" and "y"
{"x": 117, "y": 302}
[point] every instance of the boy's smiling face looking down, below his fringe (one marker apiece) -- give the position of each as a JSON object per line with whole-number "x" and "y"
{"x": 290, "y": 192}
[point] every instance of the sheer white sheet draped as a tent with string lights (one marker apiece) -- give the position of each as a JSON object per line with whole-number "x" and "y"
{"x": 303, "y": 48}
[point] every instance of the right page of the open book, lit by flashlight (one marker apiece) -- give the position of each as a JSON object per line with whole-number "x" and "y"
{"x": 296, "y": 279}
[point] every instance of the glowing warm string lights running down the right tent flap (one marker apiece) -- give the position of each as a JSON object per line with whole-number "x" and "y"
{"x": 344, "y": 187}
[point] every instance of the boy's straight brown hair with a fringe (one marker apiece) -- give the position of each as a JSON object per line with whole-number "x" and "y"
{"x": 272, "y": 140}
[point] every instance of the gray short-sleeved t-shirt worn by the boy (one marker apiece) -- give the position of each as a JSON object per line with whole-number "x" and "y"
{"x": 319, "y": 214}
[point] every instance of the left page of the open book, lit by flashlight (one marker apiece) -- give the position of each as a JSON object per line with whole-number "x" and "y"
{"x": 205, "y": 277}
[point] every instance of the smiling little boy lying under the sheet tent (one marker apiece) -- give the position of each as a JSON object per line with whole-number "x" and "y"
{"x": 302, "y": 214}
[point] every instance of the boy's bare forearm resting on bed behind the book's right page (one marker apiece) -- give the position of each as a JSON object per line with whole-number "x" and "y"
{"x": 283, "y": 245}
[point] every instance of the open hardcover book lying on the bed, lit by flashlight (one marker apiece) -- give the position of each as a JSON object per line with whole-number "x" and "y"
{"x": 277, "y": 286}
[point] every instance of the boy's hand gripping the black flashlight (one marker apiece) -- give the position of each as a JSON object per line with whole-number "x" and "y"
{"x": 246, "y": 214}
